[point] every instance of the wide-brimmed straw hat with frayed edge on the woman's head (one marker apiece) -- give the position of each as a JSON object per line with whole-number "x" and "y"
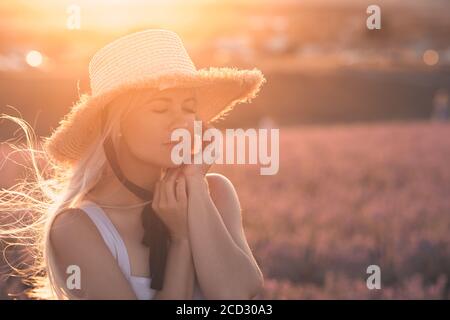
{"x": 153, "y": 58}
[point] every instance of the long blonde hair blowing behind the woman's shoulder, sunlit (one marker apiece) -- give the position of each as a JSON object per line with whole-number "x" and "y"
{"x": 33, "y": 203}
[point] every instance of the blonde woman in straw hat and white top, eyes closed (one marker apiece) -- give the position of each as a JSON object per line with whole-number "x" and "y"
{"x": 120, "y": 219}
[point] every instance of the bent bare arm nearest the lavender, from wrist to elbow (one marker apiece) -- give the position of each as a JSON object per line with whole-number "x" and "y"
{"x": 225, "y": 266}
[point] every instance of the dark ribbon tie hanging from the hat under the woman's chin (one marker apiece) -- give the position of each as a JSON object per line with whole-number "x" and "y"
{"x": 156, "y": 235}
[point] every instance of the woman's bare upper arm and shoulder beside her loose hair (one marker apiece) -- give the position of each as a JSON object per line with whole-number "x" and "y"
{"x": 76, "y": 241}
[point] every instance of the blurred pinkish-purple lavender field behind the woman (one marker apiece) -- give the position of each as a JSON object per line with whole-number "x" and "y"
{"x": 346, "y": 197}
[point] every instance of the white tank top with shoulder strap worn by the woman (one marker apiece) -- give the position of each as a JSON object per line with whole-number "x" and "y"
{"x": 112, "y": 238}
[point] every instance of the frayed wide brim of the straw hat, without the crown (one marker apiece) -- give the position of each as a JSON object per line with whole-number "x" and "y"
{"x": 219, "y": 91}
